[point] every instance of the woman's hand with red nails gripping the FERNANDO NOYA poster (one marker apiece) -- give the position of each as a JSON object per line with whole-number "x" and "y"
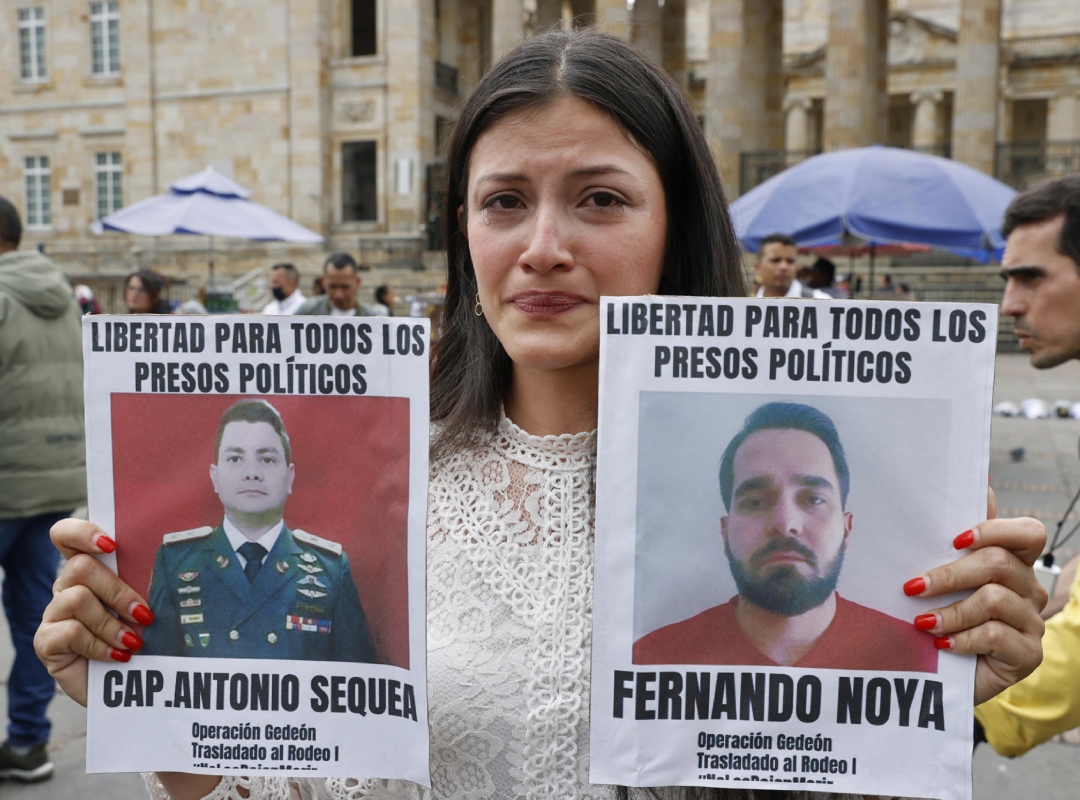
{"x": 1000, "y": 622}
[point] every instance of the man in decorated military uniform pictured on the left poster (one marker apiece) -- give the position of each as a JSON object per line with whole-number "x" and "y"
{"x": 252, "y": 588}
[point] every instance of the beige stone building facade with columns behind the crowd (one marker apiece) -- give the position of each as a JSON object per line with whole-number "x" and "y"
{"x": 335, "y": 113}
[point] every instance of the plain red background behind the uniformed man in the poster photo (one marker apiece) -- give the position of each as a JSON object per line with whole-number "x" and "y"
{"x": 352, "y": 457}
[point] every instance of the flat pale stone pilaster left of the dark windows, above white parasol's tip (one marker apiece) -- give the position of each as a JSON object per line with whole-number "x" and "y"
{"x": 309, "y": 112}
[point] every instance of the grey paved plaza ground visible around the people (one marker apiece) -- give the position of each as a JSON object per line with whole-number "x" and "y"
{"x": 1041, "y": 485}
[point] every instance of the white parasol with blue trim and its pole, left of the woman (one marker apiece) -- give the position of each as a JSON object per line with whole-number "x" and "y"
{"x": 207, "y": 205}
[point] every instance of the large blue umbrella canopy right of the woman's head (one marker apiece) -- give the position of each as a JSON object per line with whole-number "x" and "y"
{"x": 882, "y": 196}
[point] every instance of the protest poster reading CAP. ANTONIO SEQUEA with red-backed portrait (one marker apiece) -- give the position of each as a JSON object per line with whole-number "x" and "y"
{"x": 308, "y": 437}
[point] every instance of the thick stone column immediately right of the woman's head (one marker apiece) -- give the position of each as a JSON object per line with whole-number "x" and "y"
{"x": 745, "y": 83}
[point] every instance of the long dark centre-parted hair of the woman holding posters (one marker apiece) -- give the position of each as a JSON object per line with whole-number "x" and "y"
{"x": 471, "y": 371}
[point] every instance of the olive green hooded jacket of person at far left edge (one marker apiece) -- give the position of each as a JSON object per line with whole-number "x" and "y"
{"x": 43, "y": 436}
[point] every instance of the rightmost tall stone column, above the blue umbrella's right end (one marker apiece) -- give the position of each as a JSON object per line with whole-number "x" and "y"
{"x": 978, "y": 56}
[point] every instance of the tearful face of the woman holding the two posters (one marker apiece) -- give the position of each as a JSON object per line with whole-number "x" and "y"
{"x": 562, "y": 208}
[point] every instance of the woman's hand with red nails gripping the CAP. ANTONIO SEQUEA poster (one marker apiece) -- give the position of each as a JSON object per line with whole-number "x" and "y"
{"x": 77, "y": 625}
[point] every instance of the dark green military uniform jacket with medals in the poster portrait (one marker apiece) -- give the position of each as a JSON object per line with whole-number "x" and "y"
{"x": 302, "y": 605}
